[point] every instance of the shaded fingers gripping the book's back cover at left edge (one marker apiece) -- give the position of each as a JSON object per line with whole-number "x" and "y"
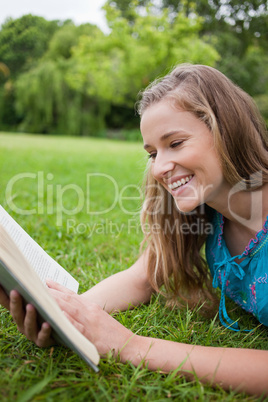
{"x": 26, "y": 319}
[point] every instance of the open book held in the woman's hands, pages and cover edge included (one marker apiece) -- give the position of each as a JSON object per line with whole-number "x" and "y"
{"x": 25, "y": 266}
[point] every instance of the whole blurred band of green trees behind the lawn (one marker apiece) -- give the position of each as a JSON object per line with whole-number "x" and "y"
{"x": 60, "y": 78}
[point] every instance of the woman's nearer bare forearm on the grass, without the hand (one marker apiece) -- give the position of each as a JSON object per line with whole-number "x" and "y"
{"x": 231, "y": 368}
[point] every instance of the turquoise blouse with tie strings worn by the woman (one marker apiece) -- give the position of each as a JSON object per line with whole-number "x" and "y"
{"x": 245, "y": 282}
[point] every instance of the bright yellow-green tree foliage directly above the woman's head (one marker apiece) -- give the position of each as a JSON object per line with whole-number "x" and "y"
{"x": 117, "y": 66}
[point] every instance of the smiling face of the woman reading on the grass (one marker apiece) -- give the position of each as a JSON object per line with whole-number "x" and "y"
{"x": 184, "y": 158}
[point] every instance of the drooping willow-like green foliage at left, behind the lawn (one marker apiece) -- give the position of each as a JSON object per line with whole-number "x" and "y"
{"x": 47, "y": 104}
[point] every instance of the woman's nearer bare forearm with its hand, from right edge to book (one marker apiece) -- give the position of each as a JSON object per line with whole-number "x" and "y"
{"x": 231, "y": 368}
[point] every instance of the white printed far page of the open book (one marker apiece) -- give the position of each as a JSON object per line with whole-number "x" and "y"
{"x": 40, "y": 261}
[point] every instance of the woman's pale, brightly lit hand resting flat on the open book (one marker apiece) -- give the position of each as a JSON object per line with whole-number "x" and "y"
{"x": 91, "y": 320}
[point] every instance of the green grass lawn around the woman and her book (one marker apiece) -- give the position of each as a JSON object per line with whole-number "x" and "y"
{"x": 92, "y": 247}
